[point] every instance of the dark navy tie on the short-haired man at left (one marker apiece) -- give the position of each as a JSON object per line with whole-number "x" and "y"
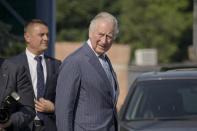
{"x": 40, "y": 82}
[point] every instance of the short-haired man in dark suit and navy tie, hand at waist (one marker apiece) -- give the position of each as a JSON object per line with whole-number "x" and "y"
{"x": 42, "y": 71}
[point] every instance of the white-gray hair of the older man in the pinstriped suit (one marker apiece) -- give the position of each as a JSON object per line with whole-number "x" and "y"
{"x": 105, "y": 15}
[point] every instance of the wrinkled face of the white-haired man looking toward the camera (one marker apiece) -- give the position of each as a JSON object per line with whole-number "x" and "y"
{"x": 102, "y": 37}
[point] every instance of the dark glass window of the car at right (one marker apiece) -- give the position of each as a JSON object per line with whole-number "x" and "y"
{"x": 163, "y": 99}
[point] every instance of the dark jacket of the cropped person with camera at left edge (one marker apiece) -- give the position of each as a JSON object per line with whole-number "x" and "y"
{"x": 13, "y": 78}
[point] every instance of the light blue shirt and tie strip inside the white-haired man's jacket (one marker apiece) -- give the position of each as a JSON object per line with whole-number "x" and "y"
{"x": 108, "y": 72}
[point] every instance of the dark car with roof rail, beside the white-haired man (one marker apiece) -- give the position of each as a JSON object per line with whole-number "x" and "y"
{"x": 162, "y": 101}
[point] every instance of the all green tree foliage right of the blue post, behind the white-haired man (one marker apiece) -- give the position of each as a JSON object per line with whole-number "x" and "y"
{"x": 162, "y": 24}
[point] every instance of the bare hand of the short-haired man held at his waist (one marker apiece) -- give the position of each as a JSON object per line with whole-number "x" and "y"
{"x": 44, "y": 105}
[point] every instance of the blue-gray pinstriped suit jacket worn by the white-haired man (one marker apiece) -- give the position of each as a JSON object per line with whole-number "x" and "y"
{"x": 84, "y": 101}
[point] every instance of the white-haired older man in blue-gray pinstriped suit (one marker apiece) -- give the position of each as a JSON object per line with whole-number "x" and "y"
{"x": 87, "y": 88}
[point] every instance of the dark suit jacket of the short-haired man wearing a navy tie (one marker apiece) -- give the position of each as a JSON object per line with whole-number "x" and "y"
{"x": 50, "y": 87}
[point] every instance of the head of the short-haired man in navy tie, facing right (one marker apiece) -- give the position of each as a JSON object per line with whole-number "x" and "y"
{"x": 37, "y": 38}
